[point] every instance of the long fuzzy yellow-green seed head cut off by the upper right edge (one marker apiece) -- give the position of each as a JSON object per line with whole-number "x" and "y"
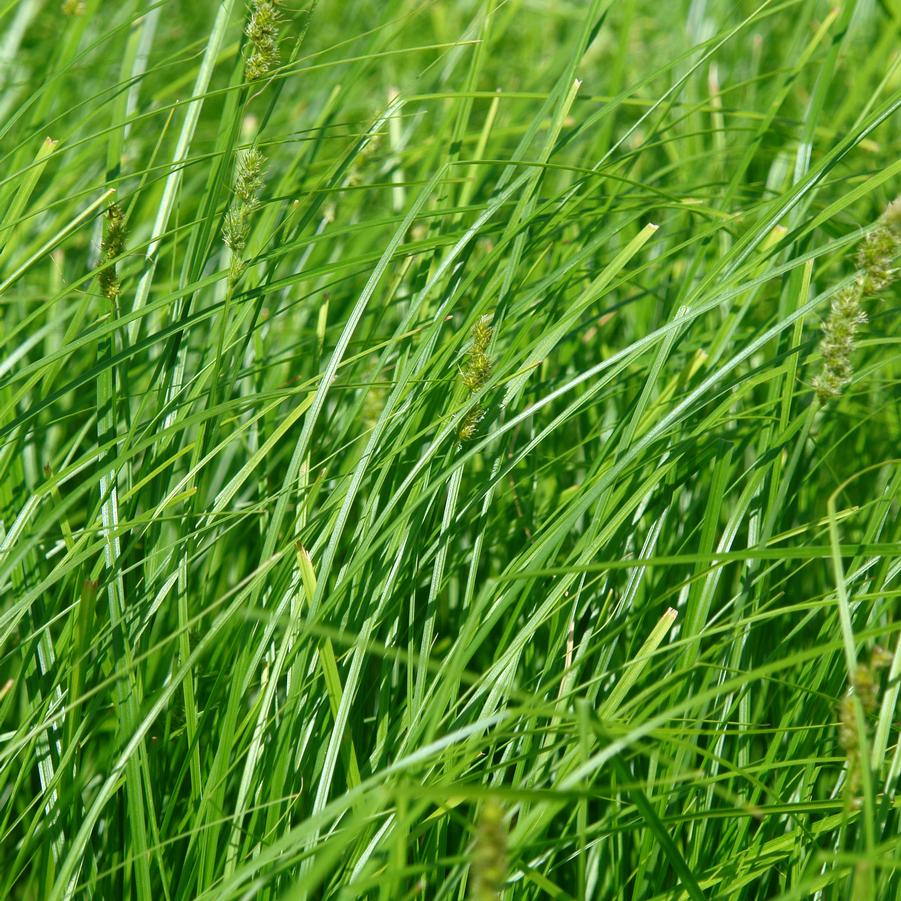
{"x": 875, "y": 261}
